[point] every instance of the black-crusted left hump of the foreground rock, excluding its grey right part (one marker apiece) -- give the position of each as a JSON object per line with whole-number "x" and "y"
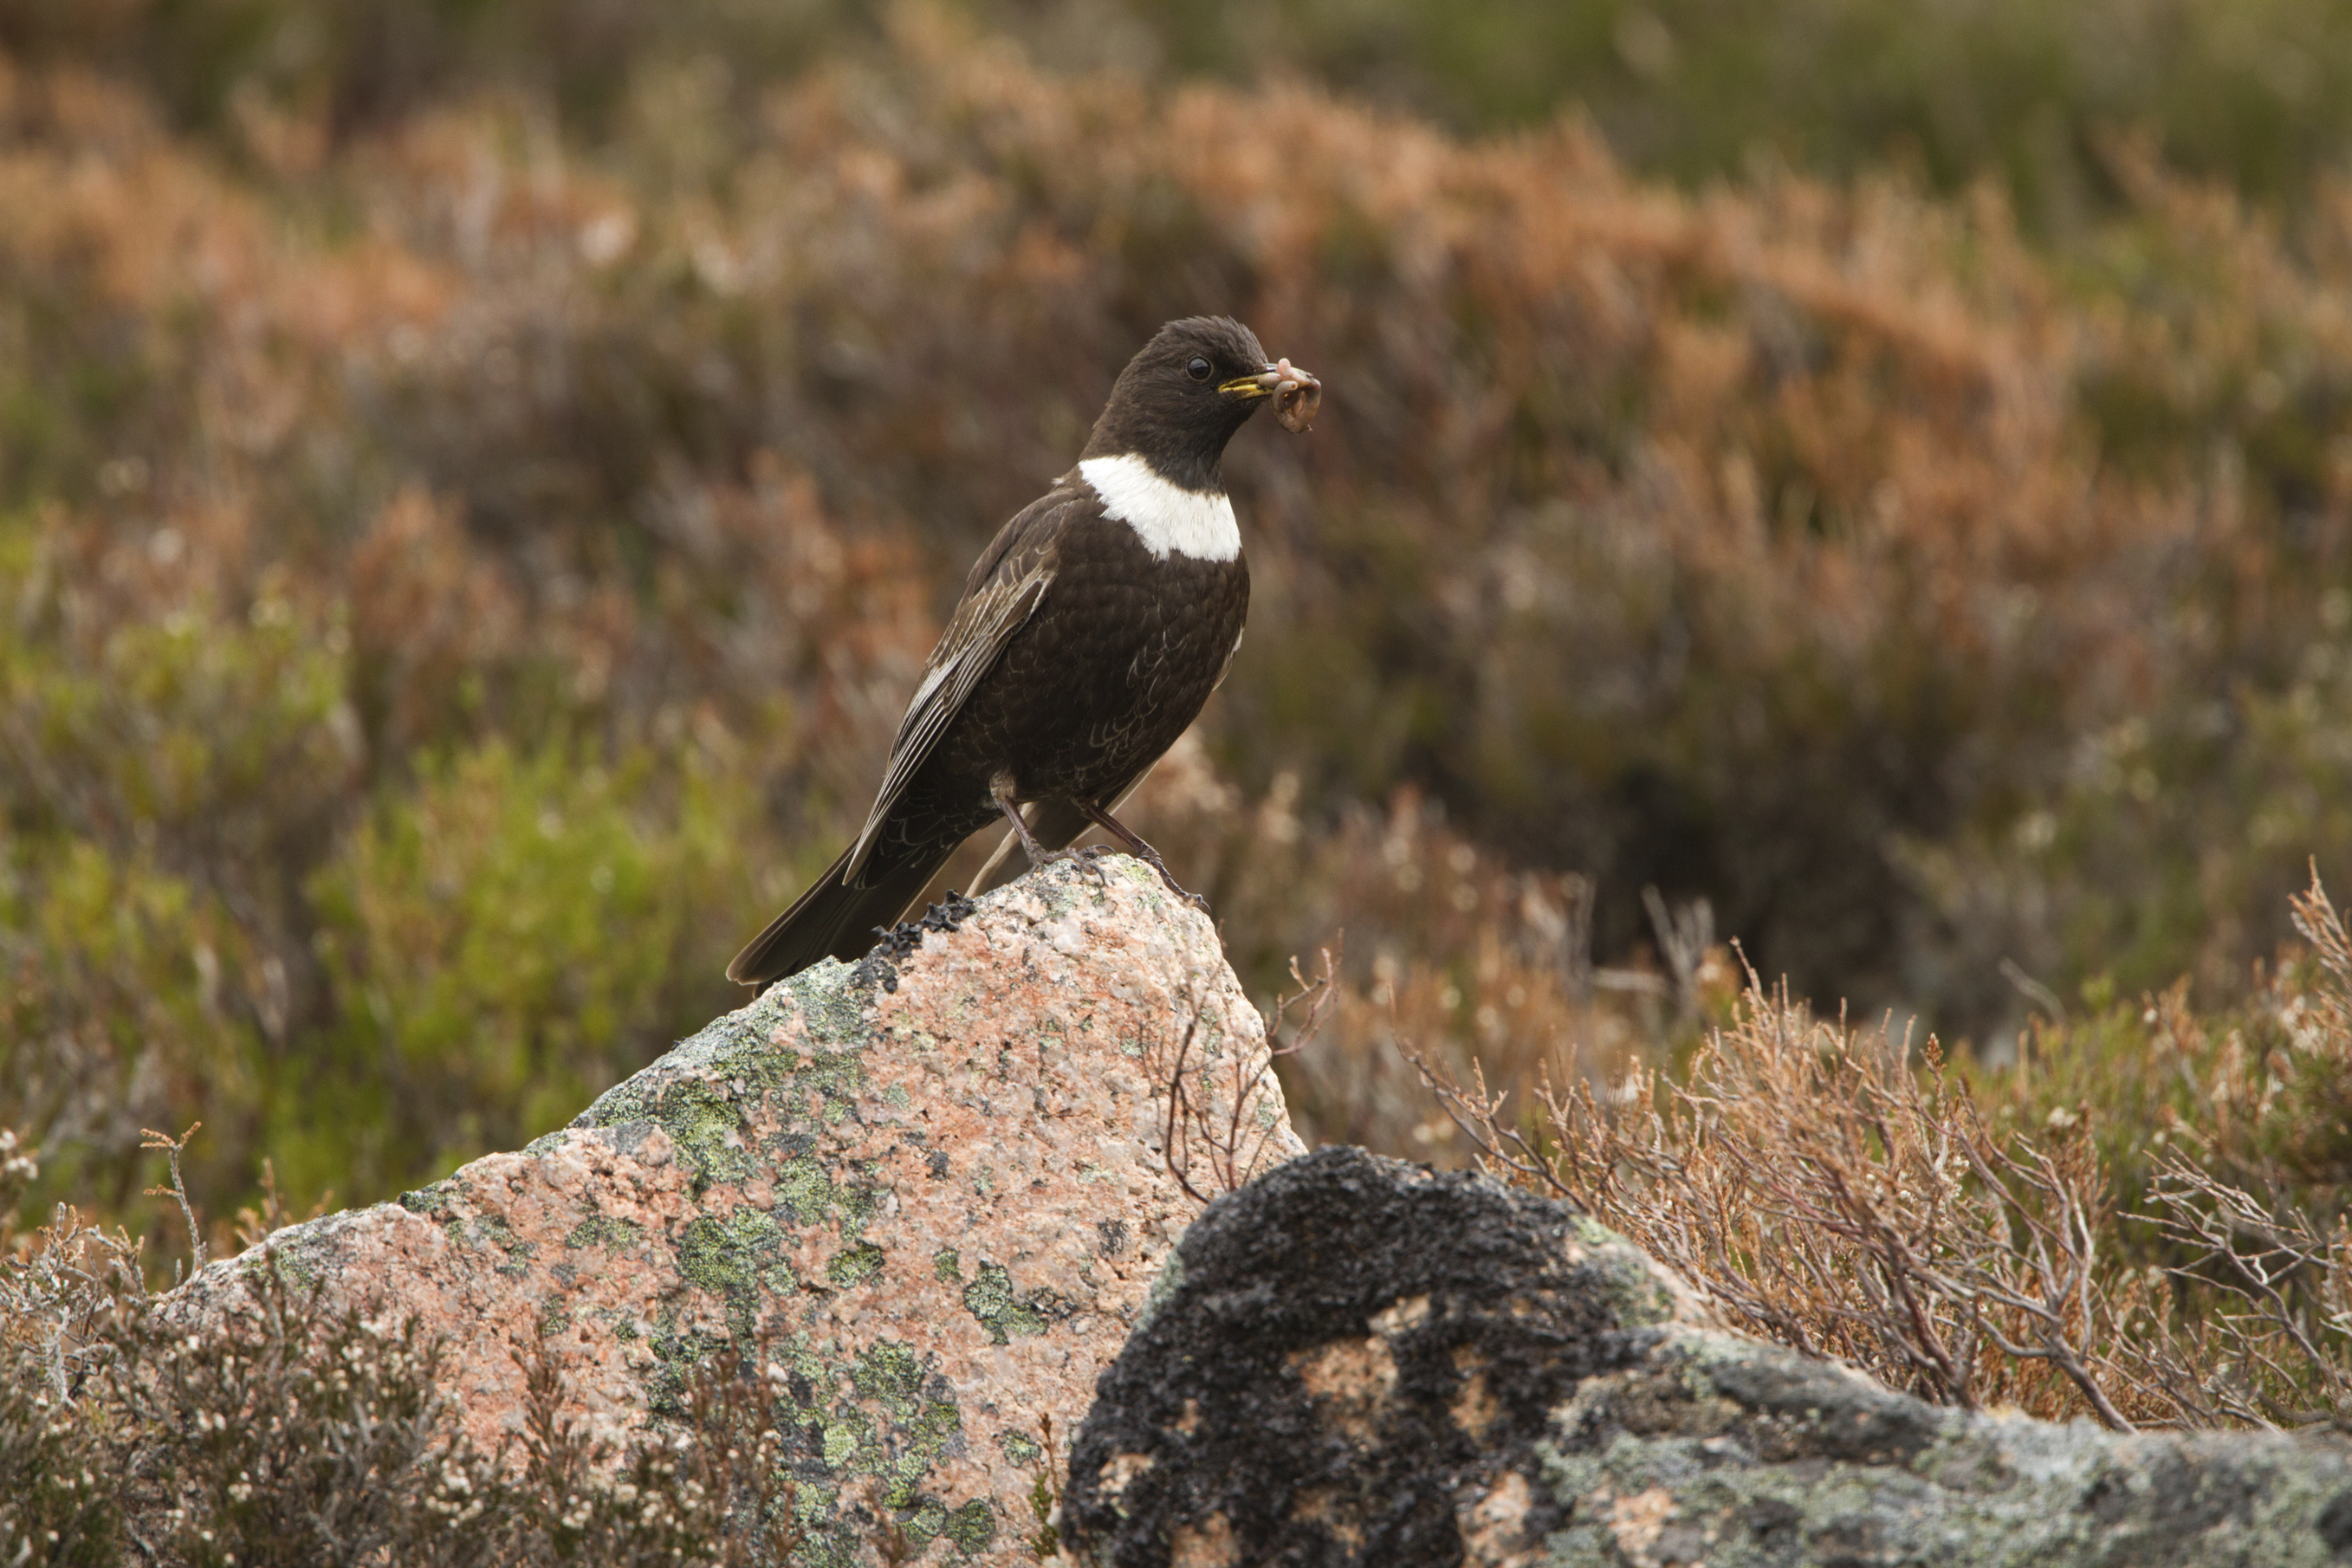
{"x": 1347, "y": 1351}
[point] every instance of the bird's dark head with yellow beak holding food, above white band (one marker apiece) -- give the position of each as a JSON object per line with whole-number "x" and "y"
{"x": 1189, "y": 391}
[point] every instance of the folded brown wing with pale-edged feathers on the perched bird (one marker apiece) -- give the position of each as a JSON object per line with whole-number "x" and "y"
{"x": 1003, "y": 594}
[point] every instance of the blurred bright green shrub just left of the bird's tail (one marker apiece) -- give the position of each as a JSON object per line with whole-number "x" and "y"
{"x": 507, "y": 939}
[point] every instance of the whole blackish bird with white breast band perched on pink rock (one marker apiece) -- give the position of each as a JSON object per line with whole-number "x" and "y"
{"x": 1090, "y": 634}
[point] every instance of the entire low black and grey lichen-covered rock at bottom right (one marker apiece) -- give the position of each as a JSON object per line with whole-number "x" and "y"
{"x": 1372, "y": 1365}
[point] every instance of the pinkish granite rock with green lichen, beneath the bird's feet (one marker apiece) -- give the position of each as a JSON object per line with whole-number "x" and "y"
{"x": 930, "y": 1186}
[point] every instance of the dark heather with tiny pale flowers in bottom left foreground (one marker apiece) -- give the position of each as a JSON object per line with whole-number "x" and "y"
{"x": 293, "y": 1435}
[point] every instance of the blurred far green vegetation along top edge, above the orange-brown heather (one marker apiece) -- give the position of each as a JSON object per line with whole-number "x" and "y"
{"x": 2252, "y": 93}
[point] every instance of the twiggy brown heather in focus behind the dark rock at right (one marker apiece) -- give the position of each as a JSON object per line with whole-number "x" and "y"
{"x": 1970, "y": 1247}
